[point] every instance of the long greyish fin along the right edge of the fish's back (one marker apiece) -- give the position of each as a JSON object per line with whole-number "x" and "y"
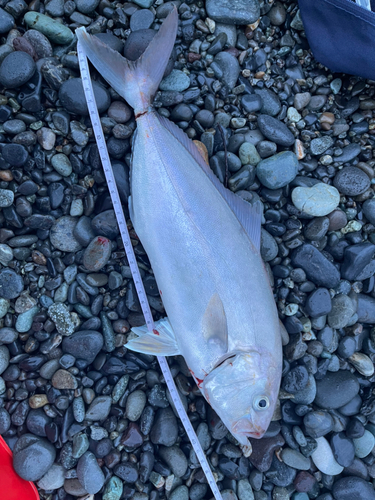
{"x": 249, "y": 215}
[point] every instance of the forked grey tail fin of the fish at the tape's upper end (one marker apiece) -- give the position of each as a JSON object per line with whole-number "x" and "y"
{"x": 136, "y": 81}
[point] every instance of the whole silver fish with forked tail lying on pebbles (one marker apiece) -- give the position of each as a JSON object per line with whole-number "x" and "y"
{"x": 203, "y": 243}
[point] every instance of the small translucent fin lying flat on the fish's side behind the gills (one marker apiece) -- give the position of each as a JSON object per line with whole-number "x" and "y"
{"x": 214, "y": 324}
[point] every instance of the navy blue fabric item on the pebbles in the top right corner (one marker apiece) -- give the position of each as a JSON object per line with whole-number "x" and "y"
{"x": 341, "y": 35}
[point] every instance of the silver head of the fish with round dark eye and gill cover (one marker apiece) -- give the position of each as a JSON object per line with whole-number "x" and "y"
{"x": 243, "y": 391}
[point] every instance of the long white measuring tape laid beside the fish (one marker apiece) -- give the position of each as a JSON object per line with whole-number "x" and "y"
{"x": 113, "y": 191}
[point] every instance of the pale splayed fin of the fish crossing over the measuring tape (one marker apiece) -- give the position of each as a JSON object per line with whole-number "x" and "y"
{"x": 160, "y": 342}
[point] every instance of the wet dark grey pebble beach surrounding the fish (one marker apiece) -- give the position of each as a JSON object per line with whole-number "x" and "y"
{"x": 85, "y": 417}
